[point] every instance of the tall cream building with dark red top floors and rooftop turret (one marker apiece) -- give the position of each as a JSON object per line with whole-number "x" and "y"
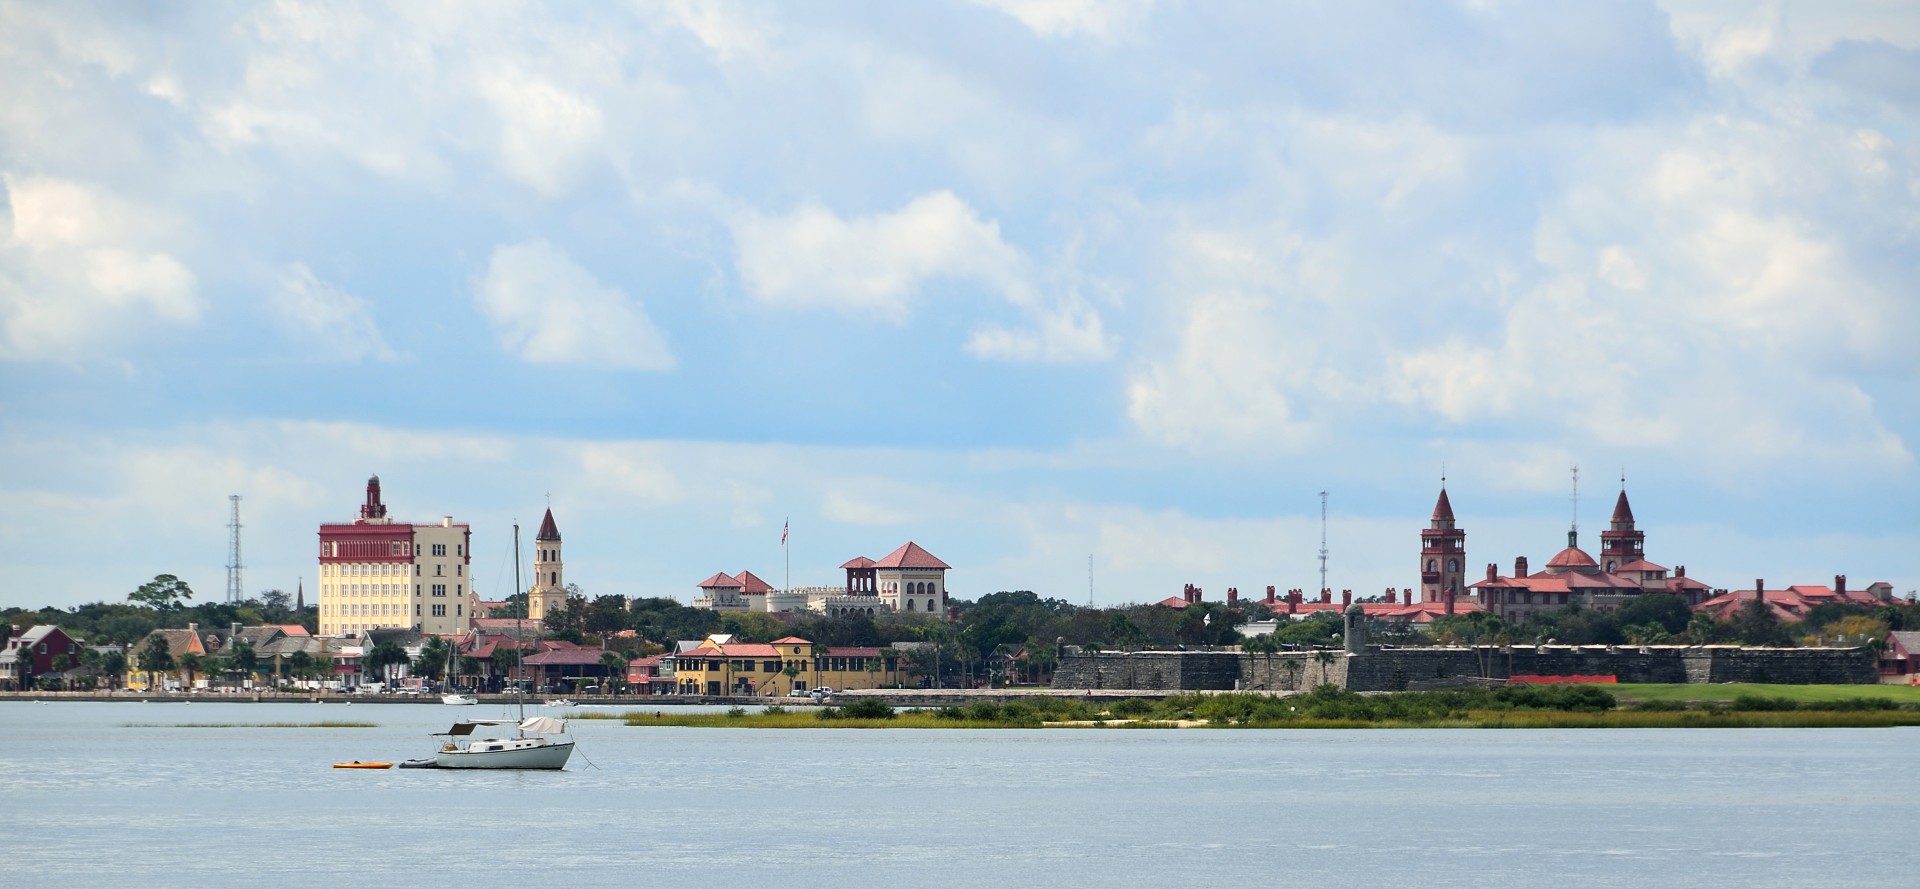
{"x": 377, "y": 573}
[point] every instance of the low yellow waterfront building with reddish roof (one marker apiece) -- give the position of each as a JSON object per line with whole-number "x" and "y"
{"x": 725, "y": 667}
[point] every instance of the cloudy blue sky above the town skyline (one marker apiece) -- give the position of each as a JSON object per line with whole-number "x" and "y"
{"x": 1086, "y": 299}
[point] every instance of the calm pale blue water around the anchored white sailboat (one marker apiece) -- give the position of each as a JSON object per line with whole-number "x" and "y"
{"x": 118, "y": 794}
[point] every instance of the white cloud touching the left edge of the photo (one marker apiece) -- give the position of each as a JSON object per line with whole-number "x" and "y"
{"x": 82, "y": 270}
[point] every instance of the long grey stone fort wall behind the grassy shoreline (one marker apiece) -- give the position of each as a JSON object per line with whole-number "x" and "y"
{"x": 1416, "y": 669}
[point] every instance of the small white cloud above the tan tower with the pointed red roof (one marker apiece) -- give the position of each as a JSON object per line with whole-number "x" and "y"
{"x": 552, "y": 312}
